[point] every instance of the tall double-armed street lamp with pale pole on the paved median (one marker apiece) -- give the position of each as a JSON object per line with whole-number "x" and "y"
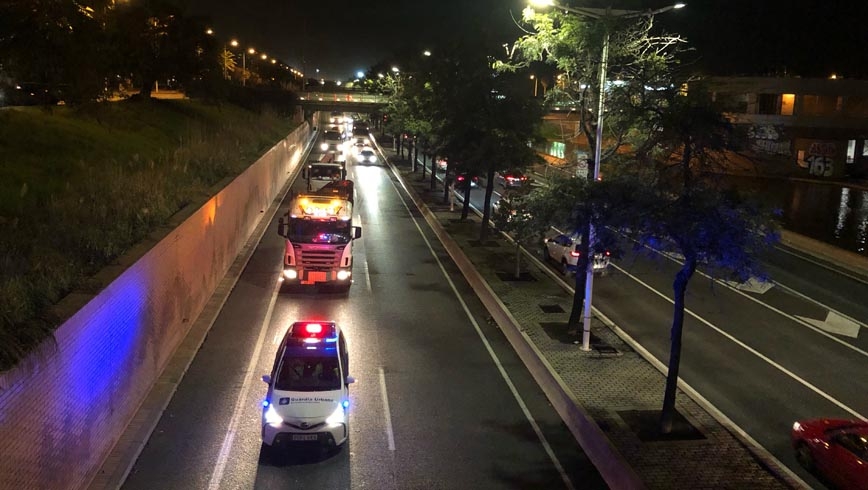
{"x": 606, "y": 14}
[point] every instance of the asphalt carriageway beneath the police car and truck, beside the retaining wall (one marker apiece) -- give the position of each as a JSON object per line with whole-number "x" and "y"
{"x": 440, "y": 401}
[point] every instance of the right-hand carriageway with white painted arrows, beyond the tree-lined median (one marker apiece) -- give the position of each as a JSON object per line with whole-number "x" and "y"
{"x": 764, "y": 357}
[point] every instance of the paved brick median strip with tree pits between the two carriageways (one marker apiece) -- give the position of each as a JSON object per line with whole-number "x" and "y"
{"x": 612, "y": 393}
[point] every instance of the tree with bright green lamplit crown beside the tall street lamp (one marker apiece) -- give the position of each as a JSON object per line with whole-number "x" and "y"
{"x": 637, "y": 58}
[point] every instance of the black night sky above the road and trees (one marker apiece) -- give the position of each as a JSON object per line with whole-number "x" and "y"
{"x": 730, "y": 37}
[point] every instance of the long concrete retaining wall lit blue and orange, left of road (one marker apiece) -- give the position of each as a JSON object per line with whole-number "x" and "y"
{"x": 63, "y": 408}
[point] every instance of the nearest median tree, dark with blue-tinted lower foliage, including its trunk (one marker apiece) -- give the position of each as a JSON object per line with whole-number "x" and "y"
{"x": 679, "y": 206}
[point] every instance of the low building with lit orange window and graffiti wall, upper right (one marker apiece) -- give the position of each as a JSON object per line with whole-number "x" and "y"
{"x": 797, "y": 126}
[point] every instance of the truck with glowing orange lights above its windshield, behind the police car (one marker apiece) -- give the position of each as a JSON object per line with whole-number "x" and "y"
{"x": 319, "y": 234}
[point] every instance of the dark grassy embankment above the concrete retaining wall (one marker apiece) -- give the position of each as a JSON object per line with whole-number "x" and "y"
{"x": 78, "y": 188}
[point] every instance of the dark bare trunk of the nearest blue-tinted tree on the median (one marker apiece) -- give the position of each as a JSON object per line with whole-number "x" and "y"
{"x": 679, "y": 287}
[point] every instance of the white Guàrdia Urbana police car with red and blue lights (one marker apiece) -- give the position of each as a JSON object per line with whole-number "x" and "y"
{"x": 308, "y": 397}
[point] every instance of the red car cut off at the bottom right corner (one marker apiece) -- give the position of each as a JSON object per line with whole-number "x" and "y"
{"x": 836, "y": 449}
